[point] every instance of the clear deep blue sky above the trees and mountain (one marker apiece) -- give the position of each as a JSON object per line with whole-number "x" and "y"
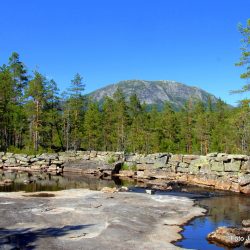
{"x": 192, "y": 41}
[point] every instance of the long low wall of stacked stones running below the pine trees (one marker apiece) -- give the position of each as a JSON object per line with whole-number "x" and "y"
{"x": 215, "y": 170}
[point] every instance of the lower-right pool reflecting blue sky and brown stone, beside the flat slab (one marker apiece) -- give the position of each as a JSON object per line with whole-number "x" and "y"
{"x": 227, "y": 210}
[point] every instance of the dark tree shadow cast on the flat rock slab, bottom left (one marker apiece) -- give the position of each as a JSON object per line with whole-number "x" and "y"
{"x": 25, "y": 238}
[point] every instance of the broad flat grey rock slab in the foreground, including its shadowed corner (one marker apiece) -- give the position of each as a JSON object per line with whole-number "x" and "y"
{"x": 84, "y": 219}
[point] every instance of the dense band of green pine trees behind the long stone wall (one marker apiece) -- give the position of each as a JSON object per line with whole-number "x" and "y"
{"x": 35, "y": 117}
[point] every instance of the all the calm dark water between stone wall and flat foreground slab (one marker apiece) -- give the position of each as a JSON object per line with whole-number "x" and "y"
{"x": 223, "y": 209}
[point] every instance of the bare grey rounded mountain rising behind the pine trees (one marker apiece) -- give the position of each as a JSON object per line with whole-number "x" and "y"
{"x": 155, "y": 92}
